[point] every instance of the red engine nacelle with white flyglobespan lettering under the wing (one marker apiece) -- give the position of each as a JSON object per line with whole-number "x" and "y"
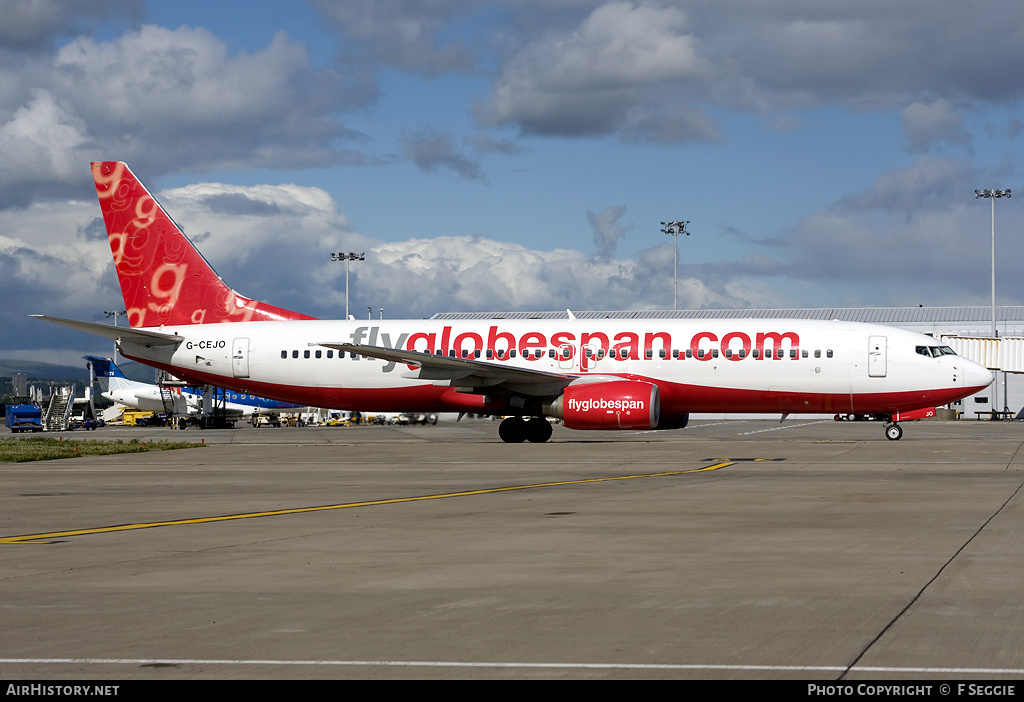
{"x": 617, "y": 405}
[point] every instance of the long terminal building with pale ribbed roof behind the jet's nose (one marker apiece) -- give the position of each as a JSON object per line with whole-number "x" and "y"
{"x": 967, "y": 330}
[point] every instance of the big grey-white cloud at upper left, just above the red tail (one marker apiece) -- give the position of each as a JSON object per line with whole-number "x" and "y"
{"x": 163, "y": 100}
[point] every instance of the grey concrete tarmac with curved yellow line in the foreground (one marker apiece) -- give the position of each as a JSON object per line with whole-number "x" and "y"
{"x": 735, "y": 550}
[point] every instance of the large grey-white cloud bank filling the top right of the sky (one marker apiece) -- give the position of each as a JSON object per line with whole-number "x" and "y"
{"x": 650, "y": 71}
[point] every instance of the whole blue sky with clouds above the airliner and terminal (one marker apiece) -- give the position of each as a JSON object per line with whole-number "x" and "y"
{"x": 517, "y": 155}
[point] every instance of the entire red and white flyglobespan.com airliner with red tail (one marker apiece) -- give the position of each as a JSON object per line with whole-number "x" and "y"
{"x": 591, "y": 375}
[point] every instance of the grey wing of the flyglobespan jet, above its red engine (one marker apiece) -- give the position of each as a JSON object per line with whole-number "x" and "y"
{"x": 465, "y": 373}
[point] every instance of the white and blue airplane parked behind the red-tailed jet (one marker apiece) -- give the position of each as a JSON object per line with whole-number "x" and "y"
{"x": 184, "y": 401}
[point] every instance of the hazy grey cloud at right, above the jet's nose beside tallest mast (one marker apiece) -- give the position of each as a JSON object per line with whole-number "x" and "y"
{"x": 917, "y": 237}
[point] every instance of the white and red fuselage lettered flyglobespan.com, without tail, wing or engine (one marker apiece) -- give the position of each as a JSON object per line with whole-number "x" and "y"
{"x": 738, "y": 366}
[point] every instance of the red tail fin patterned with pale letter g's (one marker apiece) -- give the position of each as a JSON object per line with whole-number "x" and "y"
{"x": 164, "y": 279}
